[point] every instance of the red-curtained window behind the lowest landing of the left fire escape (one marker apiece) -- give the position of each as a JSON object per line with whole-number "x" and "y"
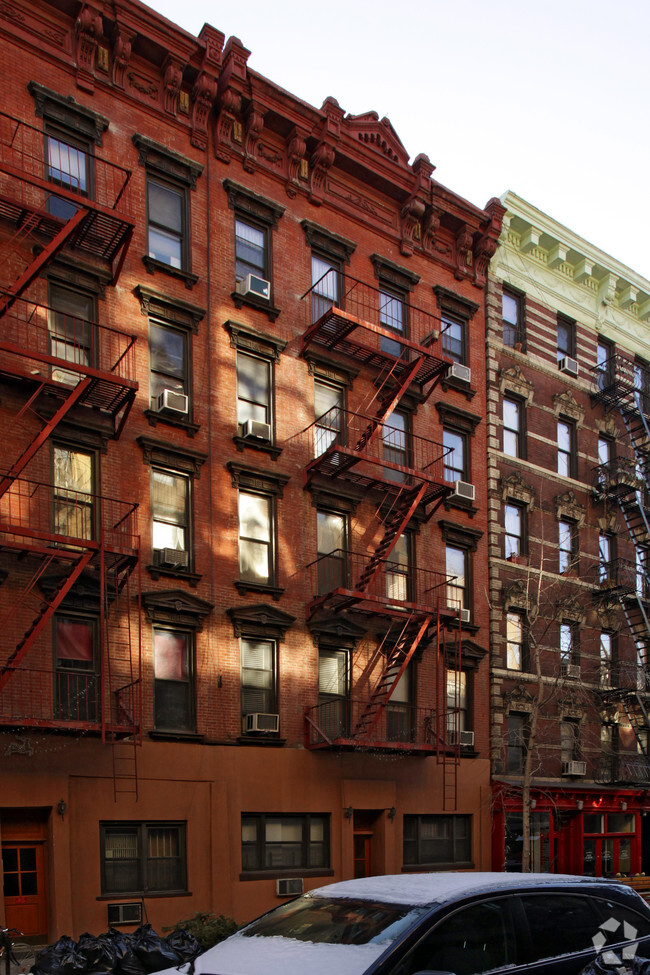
{"x": 77, "y": 687}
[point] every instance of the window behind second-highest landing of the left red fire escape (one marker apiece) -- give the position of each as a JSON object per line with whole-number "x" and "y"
{"x": 71, "y": 332}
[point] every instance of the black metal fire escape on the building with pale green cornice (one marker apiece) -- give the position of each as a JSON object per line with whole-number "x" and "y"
{"x": 622, "y": 385}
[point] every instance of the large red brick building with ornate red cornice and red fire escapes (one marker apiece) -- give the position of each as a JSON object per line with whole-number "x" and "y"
{"x": 243, "y": 527}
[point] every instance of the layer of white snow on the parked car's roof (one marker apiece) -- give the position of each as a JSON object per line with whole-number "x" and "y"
{"x": 436, "y": 888}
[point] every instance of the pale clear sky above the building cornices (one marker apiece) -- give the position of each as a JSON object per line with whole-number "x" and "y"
{"x": 545, "y": 98}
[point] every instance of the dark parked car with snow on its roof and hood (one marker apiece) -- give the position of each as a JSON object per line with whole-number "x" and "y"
{"x": 463, "y": 923}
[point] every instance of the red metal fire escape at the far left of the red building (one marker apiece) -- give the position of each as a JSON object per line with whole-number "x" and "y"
{"x": 62, "y": 543}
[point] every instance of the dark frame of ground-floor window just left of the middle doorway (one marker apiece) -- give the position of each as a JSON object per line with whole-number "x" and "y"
{"x": 306, "y": 867}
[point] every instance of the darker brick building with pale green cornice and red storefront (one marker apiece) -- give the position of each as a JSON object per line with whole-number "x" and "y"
{"x": 567, "y": 482}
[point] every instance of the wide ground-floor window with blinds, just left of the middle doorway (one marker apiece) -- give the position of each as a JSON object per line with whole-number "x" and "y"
{"x": 284, "y": 841}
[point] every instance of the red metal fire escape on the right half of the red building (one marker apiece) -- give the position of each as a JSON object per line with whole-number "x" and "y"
{"x": 404, "y": 607}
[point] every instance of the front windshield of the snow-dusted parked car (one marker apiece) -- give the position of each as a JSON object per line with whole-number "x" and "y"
{"x": 335, "y": 920}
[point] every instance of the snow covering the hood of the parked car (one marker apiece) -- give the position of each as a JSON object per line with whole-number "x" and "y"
{"x": 240, "y": 955}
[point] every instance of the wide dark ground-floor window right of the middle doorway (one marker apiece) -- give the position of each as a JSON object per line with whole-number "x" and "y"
{"x": 437, "y": 840}
